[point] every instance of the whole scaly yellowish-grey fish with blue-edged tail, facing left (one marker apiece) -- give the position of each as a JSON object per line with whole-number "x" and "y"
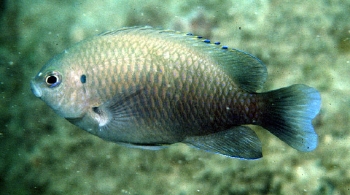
{"x": 149, "y": 88}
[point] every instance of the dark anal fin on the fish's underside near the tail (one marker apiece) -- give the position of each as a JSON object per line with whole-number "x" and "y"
{"x": 237, "y": 142}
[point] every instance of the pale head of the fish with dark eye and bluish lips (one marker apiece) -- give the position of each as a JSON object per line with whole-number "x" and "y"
{"x": 59, "y": 84}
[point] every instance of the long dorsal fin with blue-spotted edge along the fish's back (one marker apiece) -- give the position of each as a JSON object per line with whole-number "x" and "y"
{"x": 247, "y": 71}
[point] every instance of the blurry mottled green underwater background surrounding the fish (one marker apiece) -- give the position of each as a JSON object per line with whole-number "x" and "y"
{"x": 299, "y": 41}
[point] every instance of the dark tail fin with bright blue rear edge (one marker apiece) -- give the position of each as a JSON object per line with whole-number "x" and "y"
{"x": 288, "y": 114}
